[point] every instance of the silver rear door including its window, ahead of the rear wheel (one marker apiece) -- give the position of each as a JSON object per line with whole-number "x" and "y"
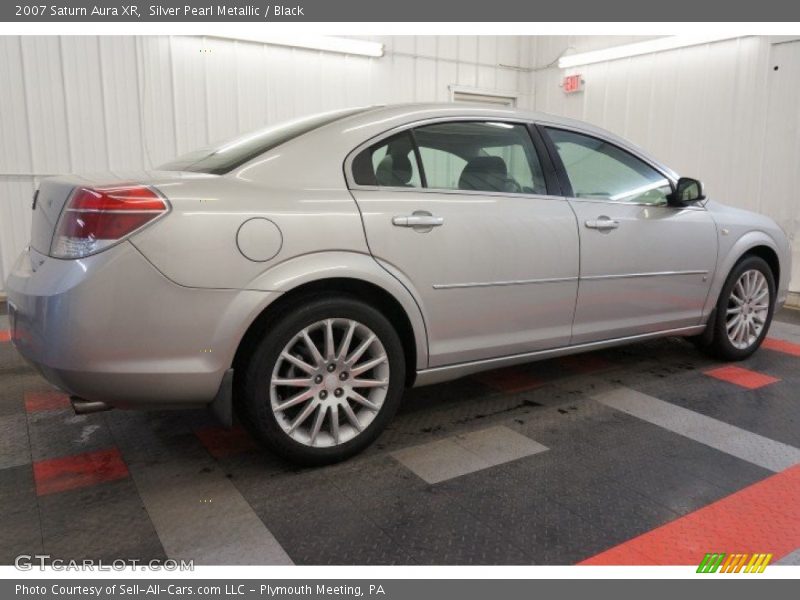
{"x": 460, "y": 210}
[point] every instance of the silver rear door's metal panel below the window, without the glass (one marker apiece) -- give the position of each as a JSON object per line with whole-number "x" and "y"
{"x": 497, "y": 276}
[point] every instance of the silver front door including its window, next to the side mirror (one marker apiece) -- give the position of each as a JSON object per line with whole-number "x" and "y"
{"x": 645, "y": 266}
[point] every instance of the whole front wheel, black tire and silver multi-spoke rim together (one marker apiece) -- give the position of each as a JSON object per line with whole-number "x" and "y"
{"x": 744, "y": 310}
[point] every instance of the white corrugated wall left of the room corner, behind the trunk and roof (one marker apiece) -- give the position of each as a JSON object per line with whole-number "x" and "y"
{"x": 83, "y": 104}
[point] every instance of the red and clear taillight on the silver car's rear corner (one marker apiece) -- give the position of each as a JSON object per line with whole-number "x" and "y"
{"x": 96, "y": 218}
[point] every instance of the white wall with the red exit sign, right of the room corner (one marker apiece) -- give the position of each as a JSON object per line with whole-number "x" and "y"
{"x": 719, "y": 112}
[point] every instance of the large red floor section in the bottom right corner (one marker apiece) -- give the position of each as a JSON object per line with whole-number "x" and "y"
{"x": 759, "y": 518}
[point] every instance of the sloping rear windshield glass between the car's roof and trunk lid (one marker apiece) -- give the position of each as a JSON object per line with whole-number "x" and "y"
{"x": 222, "y": 158}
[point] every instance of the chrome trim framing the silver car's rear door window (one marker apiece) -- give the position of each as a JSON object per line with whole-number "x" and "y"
{"x": 348, "y": 161}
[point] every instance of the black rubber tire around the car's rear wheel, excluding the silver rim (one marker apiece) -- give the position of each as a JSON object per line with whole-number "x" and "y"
{"x": 253, "y": 401}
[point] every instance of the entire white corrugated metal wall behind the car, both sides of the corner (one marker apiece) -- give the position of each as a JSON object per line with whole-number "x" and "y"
{"x": 87, "y": 104}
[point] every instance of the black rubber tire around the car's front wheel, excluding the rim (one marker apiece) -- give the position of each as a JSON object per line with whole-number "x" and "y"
{"x": 718, "y": 344}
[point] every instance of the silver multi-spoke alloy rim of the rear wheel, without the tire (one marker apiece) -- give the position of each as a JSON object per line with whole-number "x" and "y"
{"x": 329, "y": 382}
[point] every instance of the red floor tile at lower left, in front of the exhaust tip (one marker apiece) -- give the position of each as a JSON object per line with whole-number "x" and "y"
{"x": 81, "y": 470}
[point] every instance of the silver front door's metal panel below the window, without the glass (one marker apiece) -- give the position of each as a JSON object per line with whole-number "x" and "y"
{"x": 652, "y": 271}
